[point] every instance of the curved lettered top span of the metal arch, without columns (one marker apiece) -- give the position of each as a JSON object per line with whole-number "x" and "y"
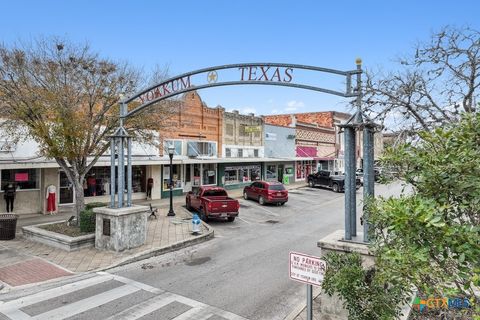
{"x": 282, "y": 76}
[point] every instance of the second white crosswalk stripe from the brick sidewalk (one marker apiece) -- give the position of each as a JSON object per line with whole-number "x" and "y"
{"x": 87, "y": 304}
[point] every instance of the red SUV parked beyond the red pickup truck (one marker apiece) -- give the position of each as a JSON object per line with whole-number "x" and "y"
{"x": 266, "y": 192}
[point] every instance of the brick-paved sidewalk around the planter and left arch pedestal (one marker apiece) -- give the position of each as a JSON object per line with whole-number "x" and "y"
{"x": 25, "y": 262}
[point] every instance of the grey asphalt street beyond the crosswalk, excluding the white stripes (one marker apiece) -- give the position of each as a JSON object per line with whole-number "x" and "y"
{"x": 245, "y": 268}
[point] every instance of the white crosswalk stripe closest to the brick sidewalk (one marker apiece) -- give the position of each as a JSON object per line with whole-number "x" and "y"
{"x": 54, "y": 292}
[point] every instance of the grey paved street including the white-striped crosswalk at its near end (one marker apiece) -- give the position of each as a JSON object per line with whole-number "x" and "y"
{"x": 242, "y": 273}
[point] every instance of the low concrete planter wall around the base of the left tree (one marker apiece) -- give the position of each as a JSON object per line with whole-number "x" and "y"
{"x": 58, "y": 240}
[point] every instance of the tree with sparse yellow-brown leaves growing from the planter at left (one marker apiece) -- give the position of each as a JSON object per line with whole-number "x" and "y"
{"x": 65, "y": 97}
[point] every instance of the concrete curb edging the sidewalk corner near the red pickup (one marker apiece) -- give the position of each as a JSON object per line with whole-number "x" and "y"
{"x": 162, "y": 250}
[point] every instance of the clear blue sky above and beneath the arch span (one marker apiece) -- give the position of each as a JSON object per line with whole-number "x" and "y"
{"x": 189, "y": 35}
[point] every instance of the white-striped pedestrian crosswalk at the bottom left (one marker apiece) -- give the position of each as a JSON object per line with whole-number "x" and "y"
{"x": 107, "y": 296}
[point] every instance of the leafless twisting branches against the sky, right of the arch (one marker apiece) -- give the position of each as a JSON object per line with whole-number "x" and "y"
{"x": 434, "y": 86}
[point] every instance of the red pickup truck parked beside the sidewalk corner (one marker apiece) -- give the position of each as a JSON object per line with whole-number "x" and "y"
{"x": 212, "y": 202}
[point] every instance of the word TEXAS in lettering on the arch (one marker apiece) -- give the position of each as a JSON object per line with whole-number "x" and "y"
{"x": 265, "y": 73}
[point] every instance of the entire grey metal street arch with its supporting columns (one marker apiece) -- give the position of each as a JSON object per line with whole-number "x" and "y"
{"x": 277, "y": 74}
